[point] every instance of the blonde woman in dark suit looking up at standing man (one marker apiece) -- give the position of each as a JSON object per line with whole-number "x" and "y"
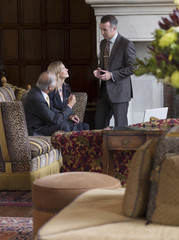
{"x": 61, "y": 98}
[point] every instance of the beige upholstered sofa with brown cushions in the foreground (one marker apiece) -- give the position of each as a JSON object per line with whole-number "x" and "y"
{"x": 148, "y": 208}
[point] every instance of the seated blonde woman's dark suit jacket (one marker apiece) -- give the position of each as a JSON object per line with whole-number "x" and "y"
{"x": 55, "y": 99}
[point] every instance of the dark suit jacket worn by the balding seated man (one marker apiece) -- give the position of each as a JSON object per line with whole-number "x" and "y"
{"x": 39, "y": 115}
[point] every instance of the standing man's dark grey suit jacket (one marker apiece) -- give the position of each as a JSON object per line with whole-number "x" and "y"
{"x": 121, "y": 64}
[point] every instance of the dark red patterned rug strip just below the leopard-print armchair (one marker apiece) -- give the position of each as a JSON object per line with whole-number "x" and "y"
{"x": 16, "y": 198}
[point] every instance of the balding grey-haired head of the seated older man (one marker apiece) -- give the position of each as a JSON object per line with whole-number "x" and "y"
{"x": 45, "y": 80}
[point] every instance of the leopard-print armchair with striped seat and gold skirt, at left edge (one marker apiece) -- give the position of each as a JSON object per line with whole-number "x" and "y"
{"x": 22, "y": 158}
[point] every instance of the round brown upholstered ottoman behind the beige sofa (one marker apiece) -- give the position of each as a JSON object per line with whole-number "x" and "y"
{"x": 52, "y": 193}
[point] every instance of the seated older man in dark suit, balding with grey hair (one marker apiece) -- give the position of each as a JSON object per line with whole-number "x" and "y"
{"x": 42, "y": 119}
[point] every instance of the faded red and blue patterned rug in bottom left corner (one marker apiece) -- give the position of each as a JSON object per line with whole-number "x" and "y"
{"x": 16, "y": 228}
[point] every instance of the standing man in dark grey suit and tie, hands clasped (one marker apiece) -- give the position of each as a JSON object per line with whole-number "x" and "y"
{"x": 117, "y": 58}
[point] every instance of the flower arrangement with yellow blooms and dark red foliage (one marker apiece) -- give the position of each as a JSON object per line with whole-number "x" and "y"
{"x": 164, "y": 50}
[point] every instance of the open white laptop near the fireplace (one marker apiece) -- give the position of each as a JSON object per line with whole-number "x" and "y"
{"x": 160, "y": 113}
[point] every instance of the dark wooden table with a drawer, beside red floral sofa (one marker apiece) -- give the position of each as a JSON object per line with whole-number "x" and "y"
{"x": 127, "y": 139}
